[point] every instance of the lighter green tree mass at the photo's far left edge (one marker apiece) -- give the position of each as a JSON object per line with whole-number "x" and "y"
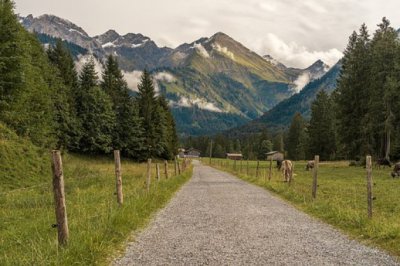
{"x": 26, "y": 81}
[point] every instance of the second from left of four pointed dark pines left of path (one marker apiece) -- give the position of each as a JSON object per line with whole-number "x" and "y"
{"x": 96, "y": 113}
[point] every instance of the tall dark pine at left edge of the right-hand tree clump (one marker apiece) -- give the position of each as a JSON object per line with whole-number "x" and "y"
{"x": 352, "y": 88}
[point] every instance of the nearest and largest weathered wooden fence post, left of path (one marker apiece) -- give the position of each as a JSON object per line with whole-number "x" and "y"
{"x": 59, "y": 198}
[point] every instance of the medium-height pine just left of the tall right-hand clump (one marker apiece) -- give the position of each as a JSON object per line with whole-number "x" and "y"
{"x": 322, "y": 140}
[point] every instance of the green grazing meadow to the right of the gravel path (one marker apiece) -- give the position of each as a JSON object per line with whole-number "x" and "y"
{"x": 341, "y": 198}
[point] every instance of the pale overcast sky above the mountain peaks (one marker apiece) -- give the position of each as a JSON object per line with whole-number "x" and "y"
{"x": 294, "y": 32}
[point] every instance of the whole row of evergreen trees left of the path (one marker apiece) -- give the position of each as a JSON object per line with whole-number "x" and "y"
{"x": 45, "y": 99}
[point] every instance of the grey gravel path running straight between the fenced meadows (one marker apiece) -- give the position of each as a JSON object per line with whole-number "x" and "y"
{"x": 217, "y": 219}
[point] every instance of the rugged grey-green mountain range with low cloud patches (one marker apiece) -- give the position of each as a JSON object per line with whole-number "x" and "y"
{"x": 212, "y": 84}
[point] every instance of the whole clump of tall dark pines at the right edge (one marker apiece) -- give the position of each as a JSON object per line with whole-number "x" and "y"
{"x": 370, "y": 79}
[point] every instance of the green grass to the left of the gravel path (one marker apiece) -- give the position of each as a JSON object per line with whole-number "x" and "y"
{"x": 98, "y": 226}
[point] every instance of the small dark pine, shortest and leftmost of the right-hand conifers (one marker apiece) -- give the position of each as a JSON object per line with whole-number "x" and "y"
{"x": 297, "y": 138}
